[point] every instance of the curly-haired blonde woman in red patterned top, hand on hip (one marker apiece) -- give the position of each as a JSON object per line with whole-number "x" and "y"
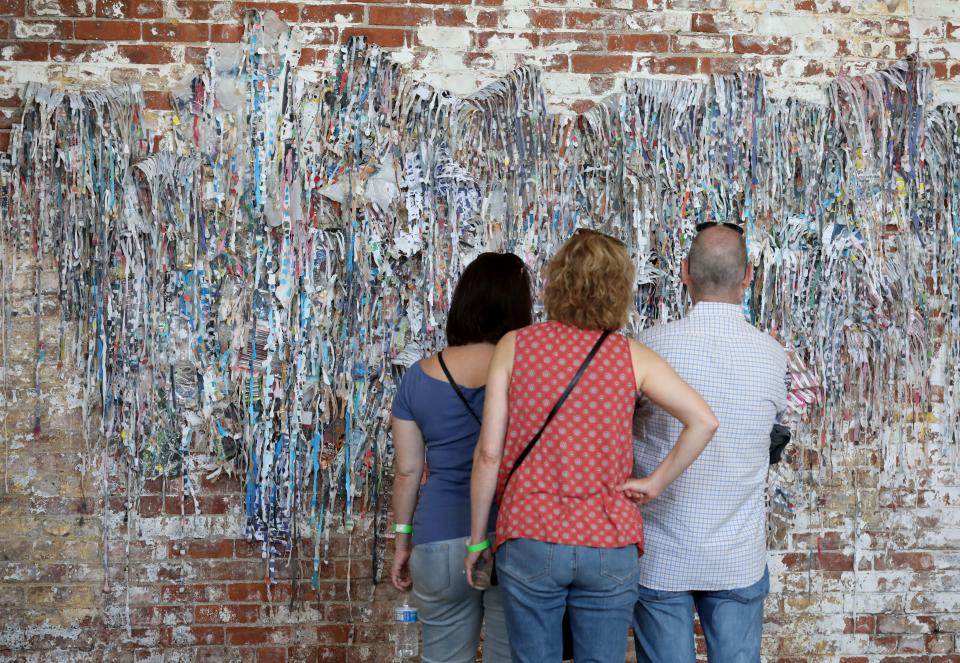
{"x": 568, "y": 532}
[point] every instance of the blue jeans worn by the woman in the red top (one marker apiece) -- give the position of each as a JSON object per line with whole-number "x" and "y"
{"x": 597, "y": 586}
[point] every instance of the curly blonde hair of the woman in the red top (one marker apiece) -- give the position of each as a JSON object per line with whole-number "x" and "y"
{"x": 590, "y": 282}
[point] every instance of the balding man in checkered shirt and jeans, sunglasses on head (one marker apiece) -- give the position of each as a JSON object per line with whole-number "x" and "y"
{"x": 706, "y": 533}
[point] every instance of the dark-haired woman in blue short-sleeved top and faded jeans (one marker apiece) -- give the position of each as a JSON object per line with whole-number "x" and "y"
{"x": 436, "y": 414}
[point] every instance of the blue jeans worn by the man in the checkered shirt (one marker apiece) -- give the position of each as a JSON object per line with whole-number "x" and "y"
{"x": 732, "y": 622}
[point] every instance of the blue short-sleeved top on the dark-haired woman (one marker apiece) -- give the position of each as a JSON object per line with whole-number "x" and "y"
{"x": 450, "y": 433}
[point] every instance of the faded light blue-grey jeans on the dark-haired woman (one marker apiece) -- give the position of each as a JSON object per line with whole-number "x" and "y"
{"x": 451, "y": 611}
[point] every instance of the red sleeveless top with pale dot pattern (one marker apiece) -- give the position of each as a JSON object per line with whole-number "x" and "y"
{"x": 566, "y": 489}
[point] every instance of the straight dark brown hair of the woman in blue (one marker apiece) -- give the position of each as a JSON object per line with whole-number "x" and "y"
{"x": 492, "y": 297}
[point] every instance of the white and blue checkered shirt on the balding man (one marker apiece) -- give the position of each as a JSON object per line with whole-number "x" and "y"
{"x": 707, "y": 531}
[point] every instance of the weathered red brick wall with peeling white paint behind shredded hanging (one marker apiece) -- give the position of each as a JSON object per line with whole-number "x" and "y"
{"x": 865, "y": 568}
